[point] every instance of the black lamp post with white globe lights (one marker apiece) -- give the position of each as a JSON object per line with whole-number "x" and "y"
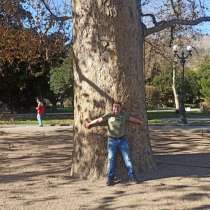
{"x": 183, "y": 55}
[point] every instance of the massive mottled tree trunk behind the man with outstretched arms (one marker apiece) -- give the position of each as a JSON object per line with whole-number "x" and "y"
{"x": 108, "y": 64}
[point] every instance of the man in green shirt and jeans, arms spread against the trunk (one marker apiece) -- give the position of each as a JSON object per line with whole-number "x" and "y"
{"x": 117, "y": 122}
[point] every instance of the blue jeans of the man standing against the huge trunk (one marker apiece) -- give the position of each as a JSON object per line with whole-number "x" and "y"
{"x": 112, "y": 146}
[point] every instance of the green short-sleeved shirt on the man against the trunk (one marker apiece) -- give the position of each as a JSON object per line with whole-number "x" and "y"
{"x": 117, "y": 124}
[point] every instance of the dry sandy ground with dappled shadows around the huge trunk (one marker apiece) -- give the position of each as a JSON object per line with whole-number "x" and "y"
{"x": 35, "y": 163}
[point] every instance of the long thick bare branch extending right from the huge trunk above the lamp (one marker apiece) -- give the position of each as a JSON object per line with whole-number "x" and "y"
{"x": 170, "y": 23}
